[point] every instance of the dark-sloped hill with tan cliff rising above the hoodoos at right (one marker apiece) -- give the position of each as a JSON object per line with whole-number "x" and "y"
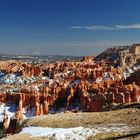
{"x": 121, "y": 55}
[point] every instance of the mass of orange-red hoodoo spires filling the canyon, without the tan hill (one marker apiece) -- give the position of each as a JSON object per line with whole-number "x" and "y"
{"x": 93, "y": 94}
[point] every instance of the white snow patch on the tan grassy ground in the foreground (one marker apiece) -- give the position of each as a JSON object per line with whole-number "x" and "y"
{"x": 76, "y": 133}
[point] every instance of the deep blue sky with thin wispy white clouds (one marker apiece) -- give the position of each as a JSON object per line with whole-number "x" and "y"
{"x": 67, "y": 27}
